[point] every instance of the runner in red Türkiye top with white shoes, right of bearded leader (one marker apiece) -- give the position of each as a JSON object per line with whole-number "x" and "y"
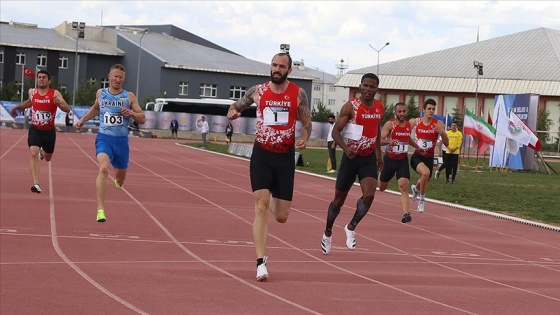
{"x": 360, "y": 118}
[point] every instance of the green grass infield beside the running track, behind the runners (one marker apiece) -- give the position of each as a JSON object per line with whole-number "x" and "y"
{"x": 527, "y": 195}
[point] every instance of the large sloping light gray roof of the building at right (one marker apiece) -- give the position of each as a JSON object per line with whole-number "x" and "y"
{"x": 525, "y": 62}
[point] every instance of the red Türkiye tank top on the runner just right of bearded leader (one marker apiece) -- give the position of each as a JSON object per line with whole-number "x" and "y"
{"x": 369, "y": 118}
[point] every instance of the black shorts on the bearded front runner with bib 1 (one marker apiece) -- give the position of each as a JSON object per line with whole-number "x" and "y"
{"x": 273, "y": 171}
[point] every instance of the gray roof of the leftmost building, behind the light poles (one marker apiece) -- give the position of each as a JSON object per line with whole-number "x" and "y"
{"x": 30, "y": 36}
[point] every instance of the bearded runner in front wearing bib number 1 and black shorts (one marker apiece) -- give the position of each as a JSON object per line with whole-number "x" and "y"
{"x": 272, "y": 166}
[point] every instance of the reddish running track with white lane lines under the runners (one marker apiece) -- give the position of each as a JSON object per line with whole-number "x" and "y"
{"x": 178, "y": 240}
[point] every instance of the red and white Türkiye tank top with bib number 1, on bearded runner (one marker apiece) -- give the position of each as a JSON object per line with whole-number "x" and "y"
{"x": 276, "y": 118}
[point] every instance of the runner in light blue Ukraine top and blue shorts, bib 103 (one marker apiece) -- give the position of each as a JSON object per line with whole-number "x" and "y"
{"x": 115, "y": 108}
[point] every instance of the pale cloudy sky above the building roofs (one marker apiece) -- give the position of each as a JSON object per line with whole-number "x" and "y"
{"x": 319, "y": 32}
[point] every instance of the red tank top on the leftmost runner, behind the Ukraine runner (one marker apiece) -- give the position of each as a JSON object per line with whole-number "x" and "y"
{"x": 43, "y": 109}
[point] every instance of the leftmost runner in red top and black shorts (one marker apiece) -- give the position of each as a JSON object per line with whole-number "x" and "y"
{"x": 42, "y": 135}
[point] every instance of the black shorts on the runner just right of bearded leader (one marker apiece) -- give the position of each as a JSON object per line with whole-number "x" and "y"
{"x": 361, "y": 166}
